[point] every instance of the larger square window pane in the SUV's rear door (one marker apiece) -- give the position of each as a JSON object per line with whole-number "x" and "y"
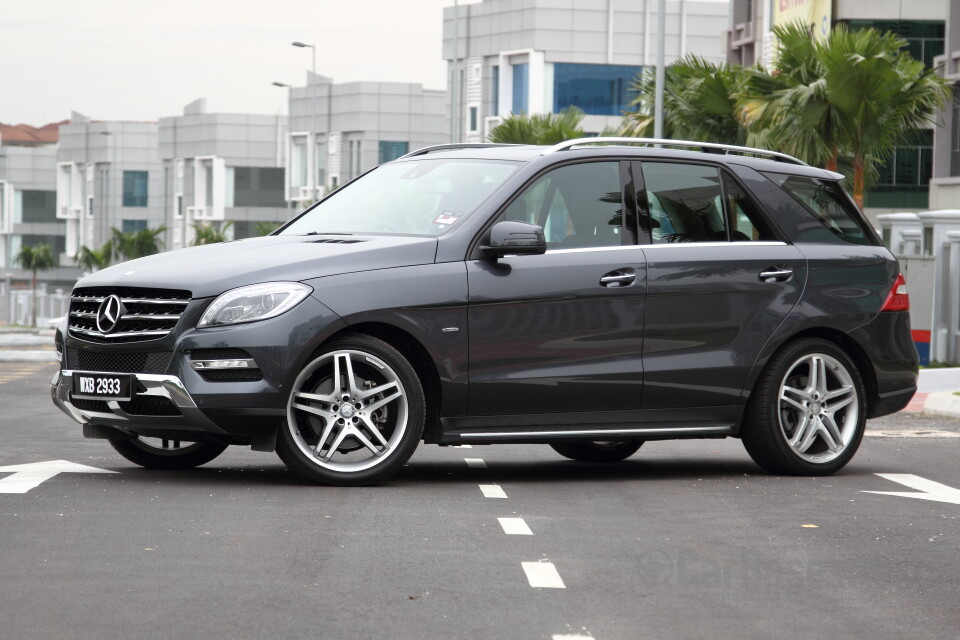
{"x": 684, "y": 202}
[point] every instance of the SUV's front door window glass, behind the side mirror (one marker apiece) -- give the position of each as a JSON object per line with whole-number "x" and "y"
{"x": 577, "y": 205}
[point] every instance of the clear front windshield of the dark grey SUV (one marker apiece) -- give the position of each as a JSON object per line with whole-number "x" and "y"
{"x": 421, "y": 197}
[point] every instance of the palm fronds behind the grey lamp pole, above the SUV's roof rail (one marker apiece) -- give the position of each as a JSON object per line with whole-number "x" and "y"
{"x": 700, "y": 102}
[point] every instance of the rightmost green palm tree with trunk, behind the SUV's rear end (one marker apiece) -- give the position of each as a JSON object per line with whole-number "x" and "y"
{"x": 880, "y": 93}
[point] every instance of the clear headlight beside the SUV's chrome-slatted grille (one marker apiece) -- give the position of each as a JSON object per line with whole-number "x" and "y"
{"x": 256, "y": 302}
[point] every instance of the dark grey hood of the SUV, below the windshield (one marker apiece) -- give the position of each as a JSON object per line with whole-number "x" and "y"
{"x": 209, "y": 270}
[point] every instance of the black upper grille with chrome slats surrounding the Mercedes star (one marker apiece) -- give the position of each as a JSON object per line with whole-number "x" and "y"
{"x": 150, "y": 313}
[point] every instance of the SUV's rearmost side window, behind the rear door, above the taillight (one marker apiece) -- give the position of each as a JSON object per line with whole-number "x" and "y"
{"x": 829, "y": 205}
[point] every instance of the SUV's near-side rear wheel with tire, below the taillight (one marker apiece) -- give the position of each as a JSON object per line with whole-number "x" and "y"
{"x": 807, "y": 413}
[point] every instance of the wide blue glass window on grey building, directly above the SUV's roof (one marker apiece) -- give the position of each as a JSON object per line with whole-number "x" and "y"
{"x": 598, "y": 89}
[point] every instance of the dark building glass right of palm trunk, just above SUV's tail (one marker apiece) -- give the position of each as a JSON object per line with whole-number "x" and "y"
{"x": 904, "y": 180}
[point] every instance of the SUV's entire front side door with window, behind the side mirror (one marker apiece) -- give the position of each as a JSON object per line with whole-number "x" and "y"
{"x": 563, "y": 331}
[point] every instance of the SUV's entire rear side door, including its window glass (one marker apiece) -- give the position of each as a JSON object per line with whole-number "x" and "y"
{"x": 719, "y": 283}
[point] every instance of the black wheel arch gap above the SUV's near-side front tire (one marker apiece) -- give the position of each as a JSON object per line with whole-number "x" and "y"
{"x": 418, "y": 356}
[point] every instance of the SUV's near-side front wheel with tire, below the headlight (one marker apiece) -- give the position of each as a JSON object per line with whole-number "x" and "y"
{"x": 360, "y": 429}
